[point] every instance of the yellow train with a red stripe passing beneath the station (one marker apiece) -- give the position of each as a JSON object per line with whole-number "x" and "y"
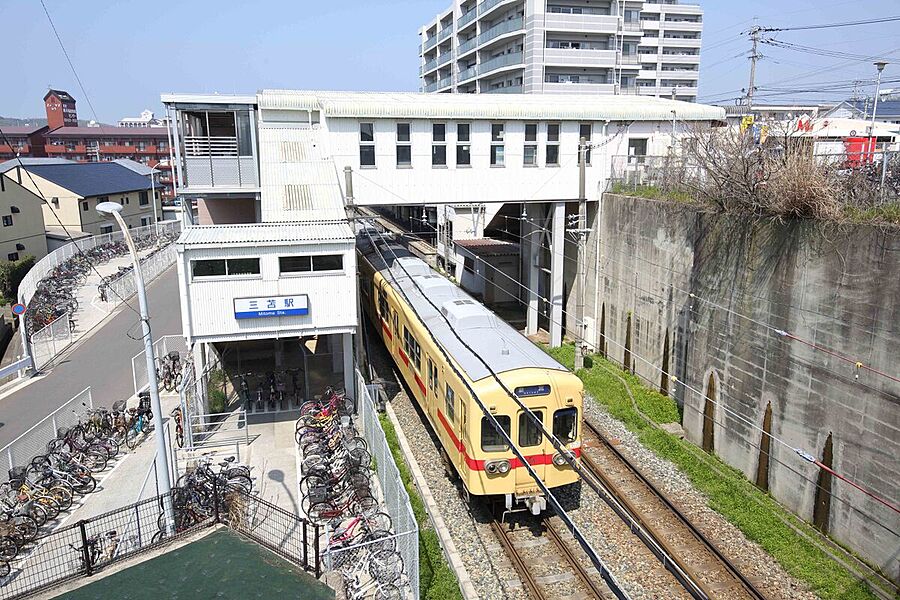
{"x": 388, "y": 276}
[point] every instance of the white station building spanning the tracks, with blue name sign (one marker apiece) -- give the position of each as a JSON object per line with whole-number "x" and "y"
{"x": 270, "y": 174}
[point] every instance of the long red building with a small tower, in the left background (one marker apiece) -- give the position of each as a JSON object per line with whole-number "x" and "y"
{"x": 63, "y": 138}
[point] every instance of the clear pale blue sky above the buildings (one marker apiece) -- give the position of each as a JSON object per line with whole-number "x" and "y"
{"x": 127, "y": 53}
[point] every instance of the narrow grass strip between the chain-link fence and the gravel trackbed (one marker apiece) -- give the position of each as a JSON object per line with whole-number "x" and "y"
{"x": 436, "y": 580}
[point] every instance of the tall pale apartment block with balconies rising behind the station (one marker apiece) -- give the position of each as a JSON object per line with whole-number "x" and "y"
{"x": 563, "y": 47}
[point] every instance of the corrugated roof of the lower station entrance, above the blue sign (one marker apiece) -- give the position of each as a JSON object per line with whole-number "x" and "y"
{"x": 266, "y": 234}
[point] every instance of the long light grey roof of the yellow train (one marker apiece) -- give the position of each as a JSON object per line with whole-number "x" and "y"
{"x": 501, "y": 346}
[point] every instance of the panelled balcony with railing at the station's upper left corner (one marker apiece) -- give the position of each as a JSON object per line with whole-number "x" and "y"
{"x": 214, "y": 162}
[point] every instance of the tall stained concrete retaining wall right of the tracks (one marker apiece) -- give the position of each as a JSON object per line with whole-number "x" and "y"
{"x": 835, "y": 287}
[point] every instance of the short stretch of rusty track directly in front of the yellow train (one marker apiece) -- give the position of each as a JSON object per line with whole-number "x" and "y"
{"x": 548, "y": 565}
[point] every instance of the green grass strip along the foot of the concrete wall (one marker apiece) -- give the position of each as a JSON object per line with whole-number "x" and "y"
{"x": 730, "y": 494}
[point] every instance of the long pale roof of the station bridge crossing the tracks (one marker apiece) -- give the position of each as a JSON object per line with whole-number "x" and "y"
{"x": 409, "y": 105}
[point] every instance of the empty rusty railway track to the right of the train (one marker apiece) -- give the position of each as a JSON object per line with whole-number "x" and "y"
{"x": 698, "y": 563}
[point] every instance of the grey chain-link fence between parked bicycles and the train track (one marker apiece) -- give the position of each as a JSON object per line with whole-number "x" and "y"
{"x": 394, "y": 498}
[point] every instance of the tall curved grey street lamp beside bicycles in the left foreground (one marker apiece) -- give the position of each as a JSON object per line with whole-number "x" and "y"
{"x": 112, "y": 211}
